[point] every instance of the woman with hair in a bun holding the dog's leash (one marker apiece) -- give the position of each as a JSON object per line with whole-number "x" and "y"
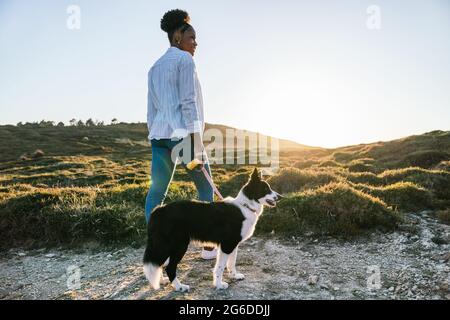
{"x": 175, "y": 114}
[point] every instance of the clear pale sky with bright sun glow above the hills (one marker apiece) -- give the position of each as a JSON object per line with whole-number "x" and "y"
{"x": 309, "y": 71}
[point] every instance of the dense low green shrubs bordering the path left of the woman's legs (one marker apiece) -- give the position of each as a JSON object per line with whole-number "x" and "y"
{"x": 74, "y": 215}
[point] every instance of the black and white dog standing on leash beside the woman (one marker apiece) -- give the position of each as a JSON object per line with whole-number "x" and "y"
{"x": 224, "y": 224}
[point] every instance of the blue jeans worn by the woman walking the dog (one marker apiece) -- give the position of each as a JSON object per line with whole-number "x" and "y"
{"x": 162, "y": 172}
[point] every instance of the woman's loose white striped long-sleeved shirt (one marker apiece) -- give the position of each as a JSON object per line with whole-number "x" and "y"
{"x": 174, "y": 101}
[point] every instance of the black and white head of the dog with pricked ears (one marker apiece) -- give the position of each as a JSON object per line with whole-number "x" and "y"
{"x": 260, "y": 191}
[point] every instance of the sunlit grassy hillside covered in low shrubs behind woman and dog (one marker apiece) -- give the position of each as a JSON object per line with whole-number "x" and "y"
{"x": 91, "y": 182}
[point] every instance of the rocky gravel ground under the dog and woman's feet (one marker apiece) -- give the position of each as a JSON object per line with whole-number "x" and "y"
{"x": 412, "y": 263}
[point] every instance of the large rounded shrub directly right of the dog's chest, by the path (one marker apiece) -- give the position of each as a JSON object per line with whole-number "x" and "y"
{"x": 334, "y": 209}
